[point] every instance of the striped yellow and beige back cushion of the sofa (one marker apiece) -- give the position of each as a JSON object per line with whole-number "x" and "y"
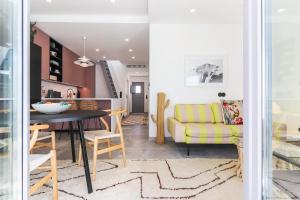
{"x": 194, "y": 113}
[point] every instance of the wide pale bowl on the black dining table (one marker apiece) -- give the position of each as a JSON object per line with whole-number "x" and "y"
{"x": 51, "y": 108}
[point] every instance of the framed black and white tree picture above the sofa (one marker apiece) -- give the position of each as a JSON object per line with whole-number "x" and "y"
{"x": 205, "y": 70}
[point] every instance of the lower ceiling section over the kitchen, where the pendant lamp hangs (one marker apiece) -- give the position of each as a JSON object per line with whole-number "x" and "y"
{"x": 108, "y": 38}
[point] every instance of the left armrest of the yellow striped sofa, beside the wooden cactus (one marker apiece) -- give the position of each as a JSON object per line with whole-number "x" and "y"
{"x": 176, "y": 129}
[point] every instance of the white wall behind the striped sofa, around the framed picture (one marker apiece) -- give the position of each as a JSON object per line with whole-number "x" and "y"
{"x": 170, "y": 43}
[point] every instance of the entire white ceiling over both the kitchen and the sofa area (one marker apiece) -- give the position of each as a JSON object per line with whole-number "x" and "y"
{"x": 107, "y": 24}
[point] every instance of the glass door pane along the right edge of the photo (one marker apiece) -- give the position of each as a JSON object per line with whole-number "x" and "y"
{"x": 283, "y": 104}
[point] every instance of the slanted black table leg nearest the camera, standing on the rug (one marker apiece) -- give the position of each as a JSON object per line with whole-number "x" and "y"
{"x": 85, "y": 157}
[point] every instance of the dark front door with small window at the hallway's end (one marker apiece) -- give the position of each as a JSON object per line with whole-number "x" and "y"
{"x": 137, "y": 90}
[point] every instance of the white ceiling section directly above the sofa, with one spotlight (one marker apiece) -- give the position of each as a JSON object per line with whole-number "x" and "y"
{"x": 207, "y": 11}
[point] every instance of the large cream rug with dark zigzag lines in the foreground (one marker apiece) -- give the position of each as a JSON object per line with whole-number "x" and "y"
{"x": 196, "y": 179}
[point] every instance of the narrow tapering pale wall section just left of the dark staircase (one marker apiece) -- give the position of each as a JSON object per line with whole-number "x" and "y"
{"x": 101, "y": 89}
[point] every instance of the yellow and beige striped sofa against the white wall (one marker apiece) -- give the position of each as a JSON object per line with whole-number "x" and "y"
{"x": 202, "y": 124}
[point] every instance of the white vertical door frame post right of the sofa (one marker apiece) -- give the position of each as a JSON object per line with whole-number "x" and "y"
{"x": 254, "y": 90}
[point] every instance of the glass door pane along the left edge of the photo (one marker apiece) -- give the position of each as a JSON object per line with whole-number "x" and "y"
{"x": 10, "y": 57}
